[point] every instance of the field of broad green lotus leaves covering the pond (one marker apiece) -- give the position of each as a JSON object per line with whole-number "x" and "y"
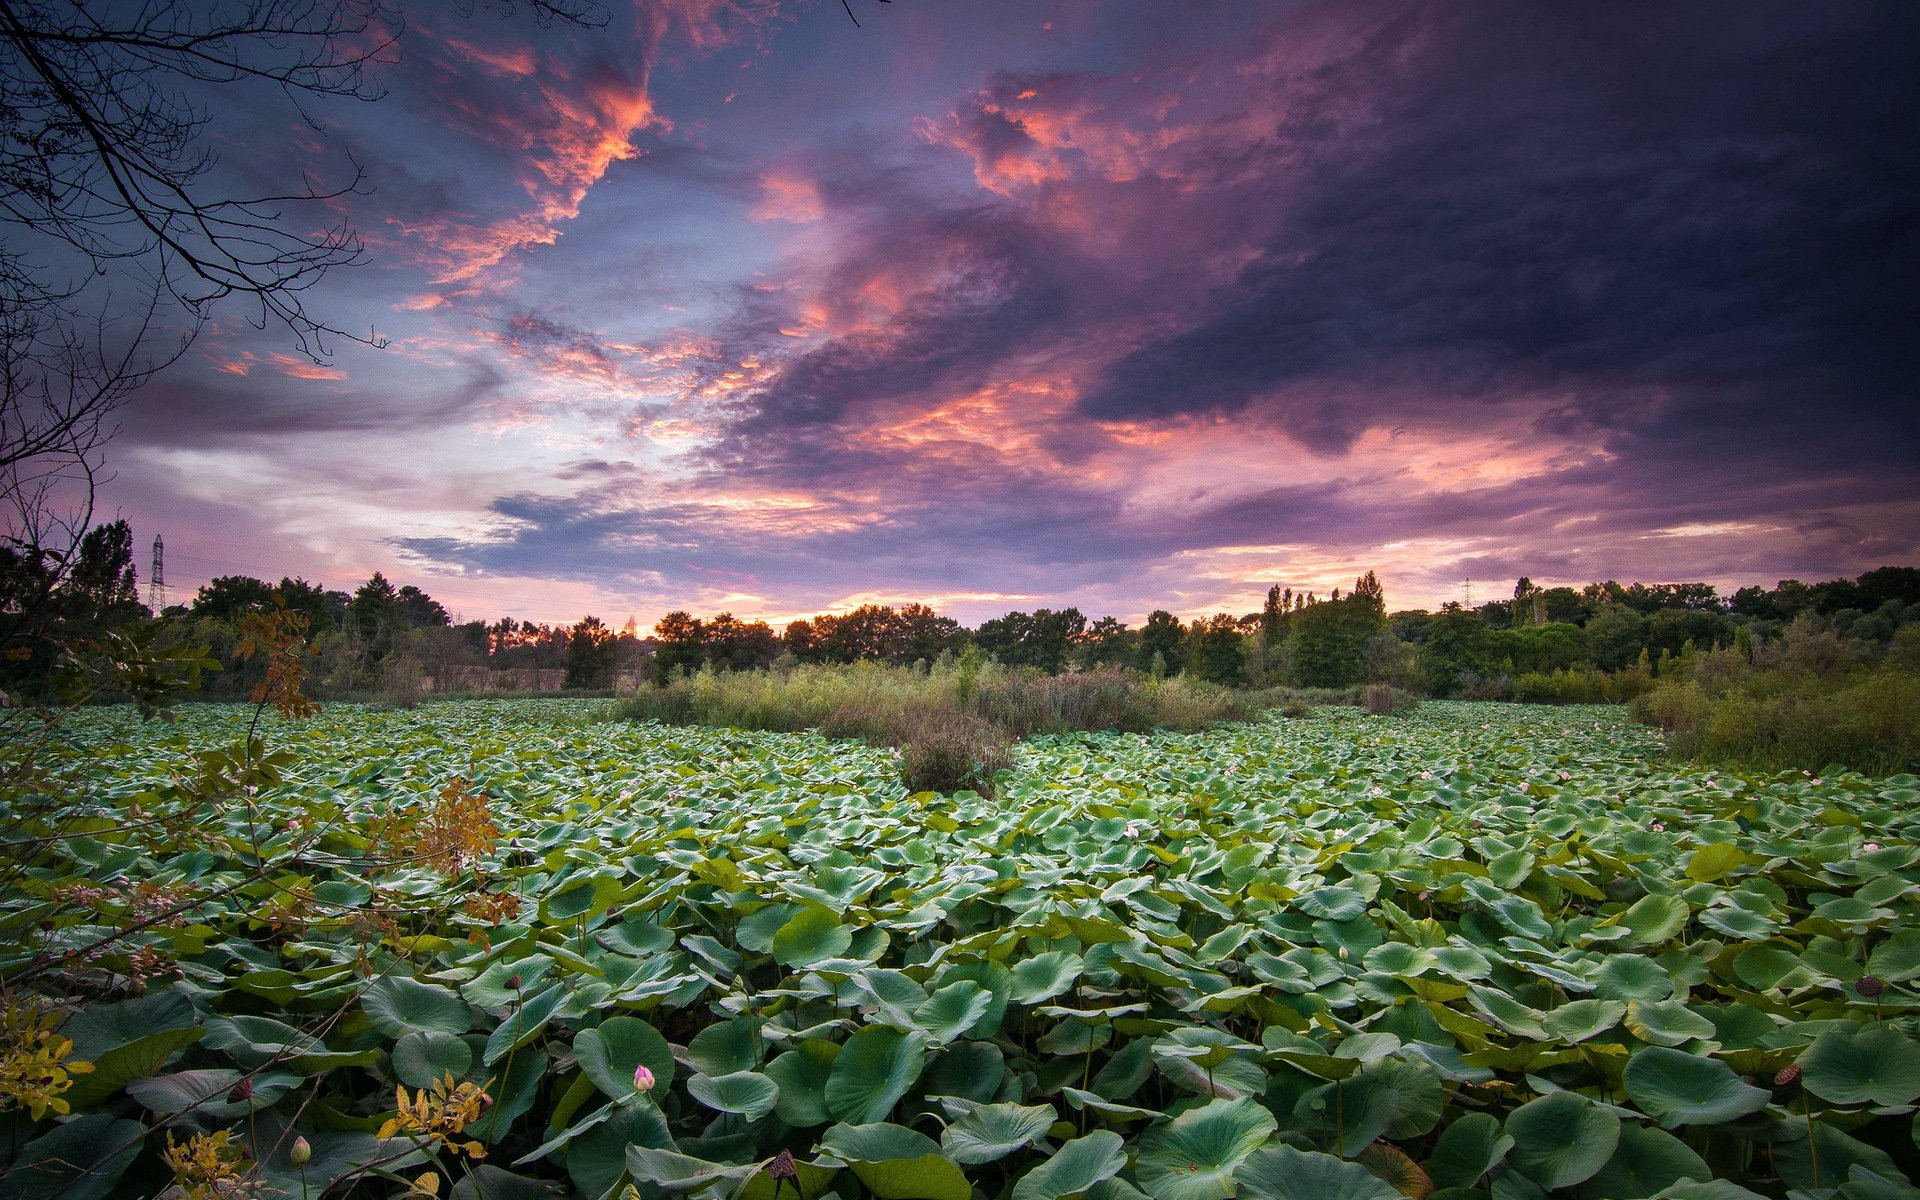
{"x": 510, "y": 949}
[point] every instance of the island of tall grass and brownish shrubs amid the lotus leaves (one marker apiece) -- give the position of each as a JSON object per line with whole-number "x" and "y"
{"x": 955, "y": 725}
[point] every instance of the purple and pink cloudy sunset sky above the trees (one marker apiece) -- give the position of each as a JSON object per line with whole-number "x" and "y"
{"x": 746, "y": 306}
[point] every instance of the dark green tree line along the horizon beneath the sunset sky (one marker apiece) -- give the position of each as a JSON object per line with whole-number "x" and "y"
{"x": 1596, "y": 642}
